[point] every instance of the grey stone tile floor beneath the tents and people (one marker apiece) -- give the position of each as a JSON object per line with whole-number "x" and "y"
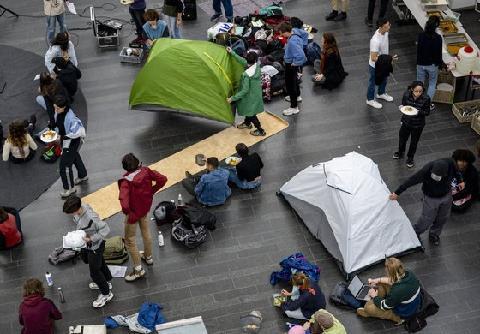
{"x": 228, "y": 275}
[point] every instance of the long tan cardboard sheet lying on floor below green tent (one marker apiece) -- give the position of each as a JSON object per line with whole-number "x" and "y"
{"x": 221, "y": 145}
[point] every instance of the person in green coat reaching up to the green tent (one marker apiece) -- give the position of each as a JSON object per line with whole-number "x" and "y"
{"x": 248, "y": 99}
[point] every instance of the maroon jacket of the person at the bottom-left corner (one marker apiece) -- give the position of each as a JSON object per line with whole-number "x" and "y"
{"x": 37, "y": 314}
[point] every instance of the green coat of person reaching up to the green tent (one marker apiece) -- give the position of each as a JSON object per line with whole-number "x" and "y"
{"x": 249, "y": 96}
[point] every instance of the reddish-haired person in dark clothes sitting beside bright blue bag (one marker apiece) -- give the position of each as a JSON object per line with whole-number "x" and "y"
{"x": 310, "y": 298}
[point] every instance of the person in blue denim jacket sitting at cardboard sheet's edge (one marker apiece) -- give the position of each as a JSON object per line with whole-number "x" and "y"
{"x": 212, "y": 187}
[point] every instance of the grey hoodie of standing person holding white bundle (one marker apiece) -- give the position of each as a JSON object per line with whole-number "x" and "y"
{"x": 93, "y": 226}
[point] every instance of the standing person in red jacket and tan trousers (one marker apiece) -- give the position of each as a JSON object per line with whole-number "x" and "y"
{"x": 137, "y": 187}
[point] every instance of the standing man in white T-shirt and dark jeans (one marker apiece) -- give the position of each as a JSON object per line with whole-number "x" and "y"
{"x": 378, "y": 46}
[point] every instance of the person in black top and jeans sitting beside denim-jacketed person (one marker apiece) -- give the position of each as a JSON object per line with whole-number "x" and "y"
{"x": 246, "y": 174}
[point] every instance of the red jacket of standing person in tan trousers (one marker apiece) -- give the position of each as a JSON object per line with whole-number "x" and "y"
{"x": 136, "y": 192}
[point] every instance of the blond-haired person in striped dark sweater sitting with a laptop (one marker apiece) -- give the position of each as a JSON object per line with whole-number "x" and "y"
{"x": 396, "y": 297}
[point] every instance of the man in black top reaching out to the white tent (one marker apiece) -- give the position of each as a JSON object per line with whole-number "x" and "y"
{"x": 436, "y": 178}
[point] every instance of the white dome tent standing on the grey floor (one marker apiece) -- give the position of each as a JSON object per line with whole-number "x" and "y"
{"x": 344, "y": 203}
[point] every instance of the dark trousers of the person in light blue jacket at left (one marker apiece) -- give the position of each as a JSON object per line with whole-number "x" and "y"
{"x": 71, "y": 157}
